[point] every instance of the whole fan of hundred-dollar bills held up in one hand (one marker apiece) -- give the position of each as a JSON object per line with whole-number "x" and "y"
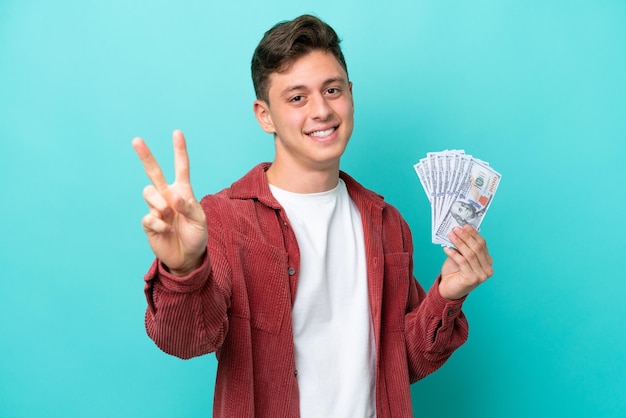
{"x": 460, "y": 189}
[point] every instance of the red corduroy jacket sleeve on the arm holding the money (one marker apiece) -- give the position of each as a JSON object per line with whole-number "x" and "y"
{"x": 434, "y": 326}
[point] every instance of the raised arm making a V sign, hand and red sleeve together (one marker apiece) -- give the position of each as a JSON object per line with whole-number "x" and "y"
{"x": 187, "y": 299}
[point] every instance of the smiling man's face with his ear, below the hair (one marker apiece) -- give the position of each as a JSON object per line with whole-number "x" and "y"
{"x": 310, "y": 111}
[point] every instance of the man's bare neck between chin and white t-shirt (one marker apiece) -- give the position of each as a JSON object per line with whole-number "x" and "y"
{"x": 299, "y": 180}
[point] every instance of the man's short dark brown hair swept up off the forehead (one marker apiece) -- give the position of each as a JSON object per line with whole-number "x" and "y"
{"x": 287, "y": 41}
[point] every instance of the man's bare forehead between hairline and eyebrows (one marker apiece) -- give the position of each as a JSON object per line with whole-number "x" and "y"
{"x": 312, "y": 70}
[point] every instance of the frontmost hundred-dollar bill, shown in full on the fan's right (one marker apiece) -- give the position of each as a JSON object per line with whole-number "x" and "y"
{"x": 471, "y": 200}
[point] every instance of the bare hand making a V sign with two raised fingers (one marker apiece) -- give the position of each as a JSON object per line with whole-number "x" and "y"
{"x": 176, "y": 223}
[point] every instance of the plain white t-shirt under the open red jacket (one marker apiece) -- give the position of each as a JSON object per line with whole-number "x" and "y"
{"x": 334, "y": 339}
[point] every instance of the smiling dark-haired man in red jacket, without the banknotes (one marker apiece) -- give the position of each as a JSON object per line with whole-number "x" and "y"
{"x": 296, "y": 276}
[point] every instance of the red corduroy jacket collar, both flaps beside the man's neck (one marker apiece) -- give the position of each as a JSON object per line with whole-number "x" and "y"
{"x": 254, "y": 185}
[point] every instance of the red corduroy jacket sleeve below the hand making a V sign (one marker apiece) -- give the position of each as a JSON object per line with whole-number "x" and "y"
{"x": 188, "y": 316}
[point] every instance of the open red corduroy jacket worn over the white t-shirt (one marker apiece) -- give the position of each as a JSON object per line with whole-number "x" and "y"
{"x": 238, "y": 304}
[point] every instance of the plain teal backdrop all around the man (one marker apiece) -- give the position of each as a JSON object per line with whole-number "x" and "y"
{"x": 537, "y": 88}
